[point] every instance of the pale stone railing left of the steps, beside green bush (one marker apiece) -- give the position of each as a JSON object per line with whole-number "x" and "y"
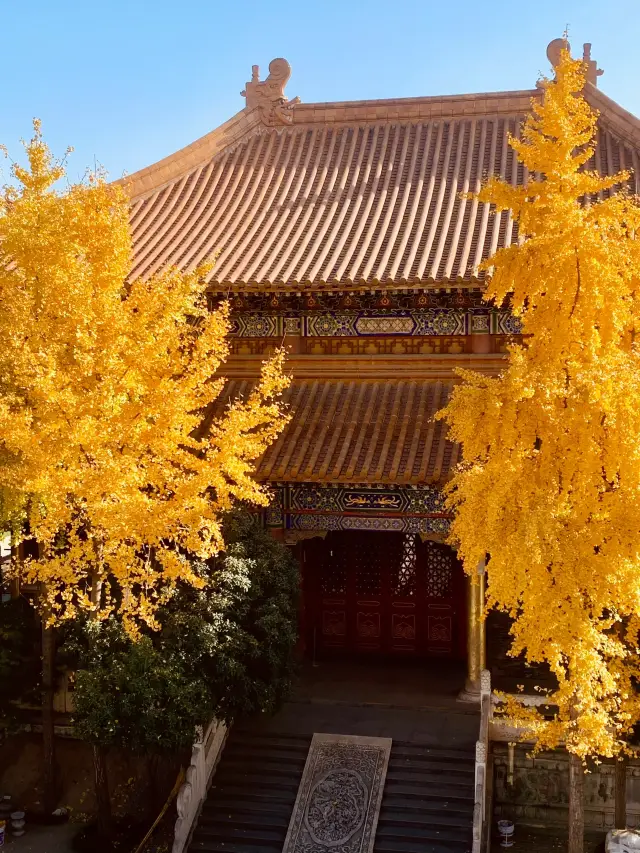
{"x": 206, "y": 751}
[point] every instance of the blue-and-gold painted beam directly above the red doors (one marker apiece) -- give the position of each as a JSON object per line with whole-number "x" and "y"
{"x": 317, "y": 506}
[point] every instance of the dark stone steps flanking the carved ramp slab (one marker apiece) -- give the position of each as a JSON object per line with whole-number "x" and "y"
{"x": 427, "y": 805}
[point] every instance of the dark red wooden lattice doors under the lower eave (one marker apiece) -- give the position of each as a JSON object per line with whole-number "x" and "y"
{"x": 390, "y": 593}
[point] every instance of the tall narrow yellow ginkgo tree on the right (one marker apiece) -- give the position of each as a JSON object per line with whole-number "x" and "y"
{"x": 550, "y": 486}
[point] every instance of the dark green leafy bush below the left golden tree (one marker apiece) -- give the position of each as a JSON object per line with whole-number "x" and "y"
{"x": 226, "y": 651}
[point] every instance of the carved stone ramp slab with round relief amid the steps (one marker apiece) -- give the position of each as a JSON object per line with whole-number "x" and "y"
{"x": 338, "y": 802}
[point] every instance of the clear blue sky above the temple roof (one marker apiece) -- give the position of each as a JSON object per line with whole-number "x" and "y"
{"x": 127, "y": 82}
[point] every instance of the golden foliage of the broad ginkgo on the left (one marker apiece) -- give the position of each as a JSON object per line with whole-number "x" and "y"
{"x": 103, "y": 386}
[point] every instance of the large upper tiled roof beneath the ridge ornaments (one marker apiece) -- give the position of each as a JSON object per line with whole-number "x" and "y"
{"x": 363, "y": 195}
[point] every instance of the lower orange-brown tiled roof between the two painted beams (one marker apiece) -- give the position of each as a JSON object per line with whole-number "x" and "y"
{"x": 350, "y": 431}
